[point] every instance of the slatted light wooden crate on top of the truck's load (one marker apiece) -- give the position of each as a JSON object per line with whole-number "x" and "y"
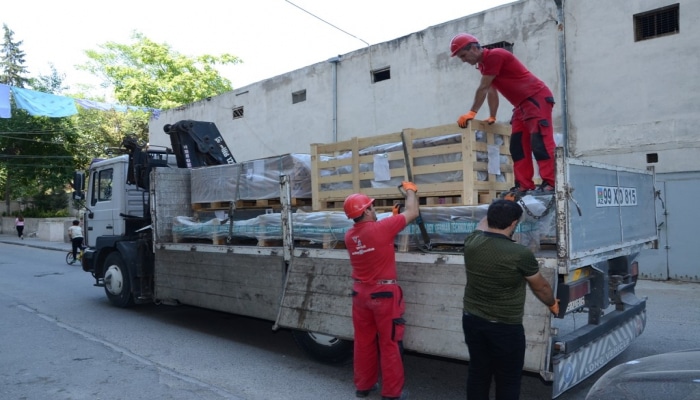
{"x": 340, "y": 169}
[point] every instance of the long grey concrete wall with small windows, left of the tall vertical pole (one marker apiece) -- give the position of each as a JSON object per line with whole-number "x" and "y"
{"x": 427, "y": 87}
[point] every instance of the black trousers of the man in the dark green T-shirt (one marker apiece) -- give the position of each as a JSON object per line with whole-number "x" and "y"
{"x": 496, "y": 351}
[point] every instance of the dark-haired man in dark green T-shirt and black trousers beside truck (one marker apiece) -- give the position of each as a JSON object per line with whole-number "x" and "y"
{"x": 494, "y": 301}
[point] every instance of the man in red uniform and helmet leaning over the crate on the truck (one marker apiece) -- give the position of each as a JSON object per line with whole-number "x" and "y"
{"x": 532, "y": 130}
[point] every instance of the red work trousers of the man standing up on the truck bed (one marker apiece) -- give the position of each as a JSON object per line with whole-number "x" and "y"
{"x": 533, "y": 134}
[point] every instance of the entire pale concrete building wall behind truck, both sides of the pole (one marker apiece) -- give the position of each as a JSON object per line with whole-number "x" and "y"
{"x": 625, "y": 98}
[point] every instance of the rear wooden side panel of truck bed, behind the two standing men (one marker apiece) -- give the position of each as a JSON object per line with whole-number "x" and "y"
{"x": 317, "y": 298}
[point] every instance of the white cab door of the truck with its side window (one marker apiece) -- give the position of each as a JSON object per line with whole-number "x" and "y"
{"x": 101, "y": 222}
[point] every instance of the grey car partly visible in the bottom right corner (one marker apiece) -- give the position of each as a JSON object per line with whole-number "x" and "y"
{"x": 668, "y": 376}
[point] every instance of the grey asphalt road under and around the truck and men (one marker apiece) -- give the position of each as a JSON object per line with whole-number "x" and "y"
{"x": 60, "y": 339}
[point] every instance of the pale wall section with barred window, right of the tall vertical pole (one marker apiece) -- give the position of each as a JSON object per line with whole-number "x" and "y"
{"x": 628, "y": 99}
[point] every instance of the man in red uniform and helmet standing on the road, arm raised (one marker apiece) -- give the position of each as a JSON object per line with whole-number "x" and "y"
{"x": 377, "y": 303}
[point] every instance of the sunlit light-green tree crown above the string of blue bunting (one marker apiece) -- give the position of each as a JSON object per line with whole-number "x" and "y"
{"x": 149, "y": 74}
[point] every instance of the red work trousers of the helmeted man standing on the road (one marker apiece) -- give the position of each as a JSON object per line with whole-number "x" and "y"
{"x": 377, "y": 312}
